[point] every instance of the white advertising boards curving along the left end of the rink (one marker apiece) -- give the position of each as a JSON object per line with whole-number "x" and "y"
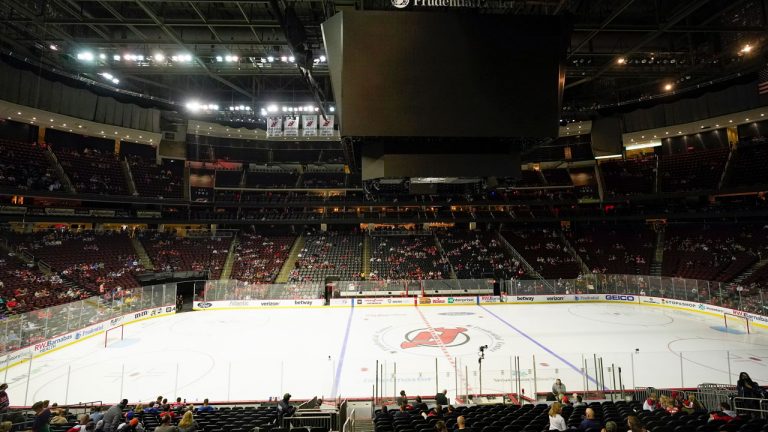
{"x": 65, "y": 339}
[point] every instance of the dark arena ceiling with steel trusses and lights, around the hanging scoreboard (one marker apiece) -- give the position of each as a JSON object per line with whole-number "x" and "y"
{"x": 218, "y": 52}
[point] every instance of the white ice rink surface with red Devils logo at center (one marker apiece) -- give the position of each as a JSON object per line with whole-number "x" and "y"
{"x": 257, "y": 354}
